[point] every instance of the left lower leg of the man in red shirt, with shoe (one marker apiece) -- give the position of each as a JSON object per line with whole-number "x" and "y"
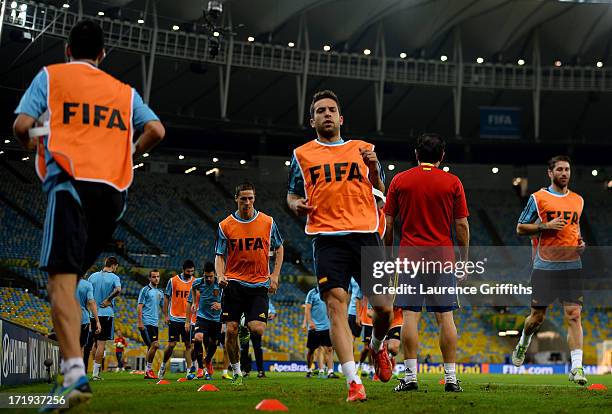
{"x": 410, "y": 346}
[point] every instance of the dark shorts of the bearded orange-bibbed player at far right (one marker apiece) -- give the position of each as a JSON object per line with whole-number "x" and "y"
{"x": 550, "y": 285}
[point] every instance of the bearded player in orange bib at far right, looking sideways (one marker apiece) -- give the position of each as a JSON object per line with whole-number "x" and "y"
{"x": 553, "y": 215}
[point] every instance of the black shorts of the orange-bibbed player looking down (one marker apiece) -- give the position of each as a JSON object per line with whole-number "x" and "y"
{"x": 239, "y": 299}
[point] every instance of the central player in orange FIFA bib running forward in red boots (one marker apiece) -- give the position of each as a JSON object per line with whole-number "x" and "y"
{"x": 332, "y": 182}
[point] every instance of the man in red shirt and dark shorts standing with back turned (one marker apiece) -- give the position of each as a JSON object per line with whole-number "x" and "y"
{"x": 428, "y": 202}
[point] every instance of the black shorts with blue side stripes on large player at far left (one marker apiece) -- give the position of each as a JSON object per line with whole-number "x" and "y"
{"x": 76, "y": 233}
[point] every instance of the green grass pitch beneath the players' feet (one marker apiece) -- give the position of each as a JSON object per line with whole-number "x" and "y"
{"x": 125, "y": 393}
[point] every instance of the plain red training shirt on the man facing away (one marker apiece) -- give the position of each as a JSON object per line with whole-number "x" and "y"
{"x": 427, "y": 200}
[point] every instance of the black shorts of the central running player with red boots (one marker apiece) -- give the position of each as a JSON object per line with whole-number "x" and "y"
{"x": 338, "y": 258}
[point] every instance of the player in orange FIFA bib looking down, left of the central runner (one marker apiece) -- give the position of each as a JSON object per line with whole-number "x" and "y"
{"x": 244, "y": 242}
